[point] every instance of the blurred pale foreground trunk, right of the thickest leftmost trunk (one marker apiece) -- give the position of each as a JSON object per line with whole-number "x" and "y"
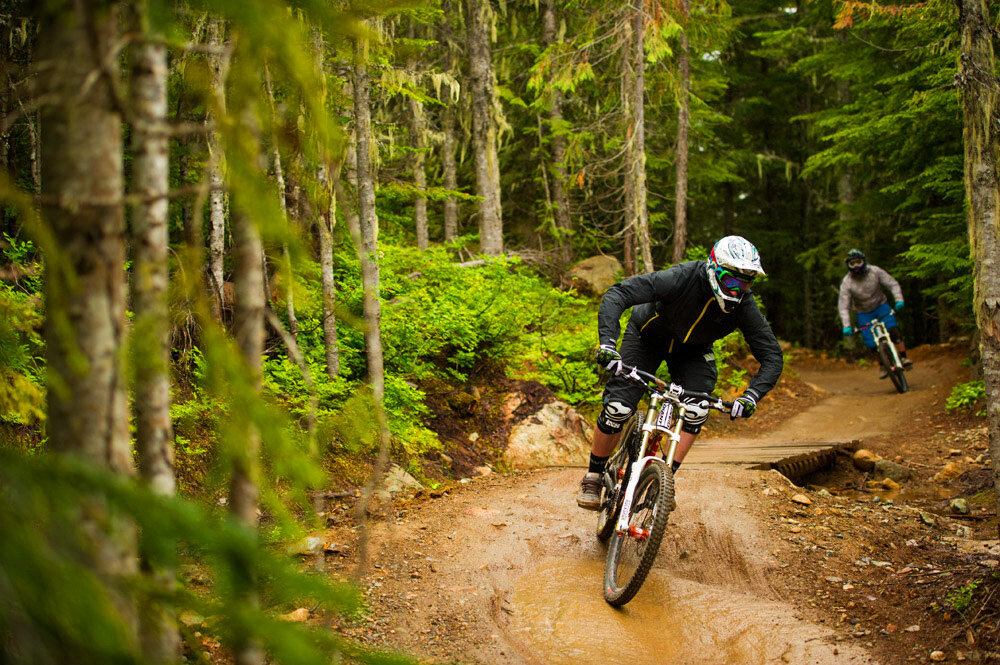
{"x": 151, "y": 339}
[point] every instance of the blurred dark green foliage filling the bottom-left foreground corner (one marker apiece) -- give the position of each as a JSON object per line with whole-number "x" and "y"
{"x": 58, "y": 607}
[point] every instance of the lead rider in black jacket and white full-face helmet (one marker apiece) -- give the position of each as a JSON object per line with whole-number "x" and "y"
{"x": 676, "y": 315}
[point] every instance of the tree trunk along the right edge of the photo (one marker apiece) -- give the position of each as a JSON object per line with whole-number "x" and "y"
{"x": 981, "y": 96}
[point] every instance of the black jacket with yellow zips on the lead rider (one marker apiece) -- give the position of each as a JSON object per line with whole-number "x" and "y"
{"x": 675, "y": 309}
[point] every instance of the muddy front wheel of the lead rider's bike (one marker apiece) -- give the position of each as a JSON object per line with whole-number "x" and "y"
{"x": 631, "y": 555}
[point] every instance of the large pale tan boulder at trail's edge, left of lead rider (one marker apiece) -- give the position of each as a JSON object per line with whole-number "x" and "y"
{"x": 556, "y": 434}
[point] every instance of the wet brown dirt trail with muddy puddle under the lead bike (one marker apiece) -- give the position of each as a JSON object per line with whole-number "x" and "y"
{"x": 508, "y": 570}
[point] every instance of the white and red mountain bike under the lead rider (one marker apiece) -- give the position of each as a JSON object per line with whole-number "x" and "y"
{"x": 638, "y": 492}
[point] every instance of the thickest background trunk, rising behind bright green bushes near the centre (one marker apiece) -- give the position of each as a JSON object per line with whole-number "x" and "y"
{"x": 484, "y": 131}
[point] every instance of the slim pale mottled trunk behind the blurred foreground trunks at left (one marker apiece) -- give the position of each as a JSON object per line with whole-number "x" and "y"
{"x": 217, "y": 197}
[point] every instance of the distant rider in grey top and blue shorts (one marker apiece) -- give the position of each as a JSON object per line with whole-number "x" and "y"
{"x": 863, "y": 289}
